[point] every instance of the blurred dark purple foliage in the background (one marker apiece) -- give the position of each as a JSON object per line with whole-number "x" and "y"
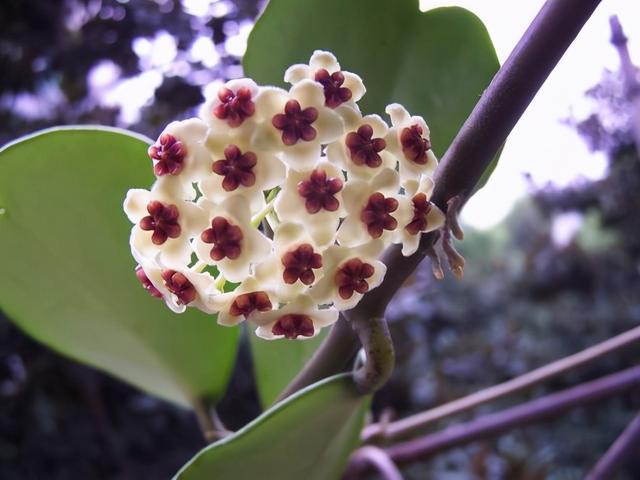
{"x": 559, "y": 274}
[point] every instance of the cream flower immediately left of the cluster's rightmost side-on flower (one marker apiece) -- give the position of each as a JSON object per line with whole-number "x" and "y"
{"x": 372, "y": 209}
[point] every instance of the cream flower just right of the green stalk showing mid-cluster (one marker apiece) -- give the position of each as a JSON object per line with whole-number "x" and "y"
{"x": 313, "y": 198}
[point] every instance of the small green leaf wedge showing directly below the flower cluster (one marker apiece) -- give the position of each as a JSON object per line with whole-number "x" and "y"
{"x": 275, "y": 363}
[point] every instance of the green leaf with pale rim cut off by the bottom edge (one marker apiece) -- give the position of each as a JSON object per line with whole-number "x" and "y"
{"x": 310, "y": 435}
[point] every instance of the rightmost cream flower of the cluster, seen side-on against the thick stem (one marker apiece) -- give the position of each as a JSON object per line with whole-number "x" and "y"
{"x": 423, "y": 216}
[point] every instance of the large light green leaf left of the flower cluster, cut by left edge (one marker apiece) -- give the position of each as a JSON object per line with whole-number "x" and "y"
{"x": 68, "y": 275}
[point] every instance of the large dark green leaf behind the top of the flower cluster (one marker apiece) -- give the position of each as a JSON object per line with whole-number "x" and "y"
{"x": 436, "y": 63}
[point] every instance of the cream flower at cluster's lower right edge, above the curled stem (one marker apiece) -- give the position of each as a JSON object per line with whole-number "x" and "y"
{"x": 349, "y": 274}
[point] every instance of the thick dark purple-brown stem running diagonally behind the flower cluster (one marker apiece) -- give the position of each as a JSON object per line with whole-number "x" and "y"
{"x": 471, "y": 152}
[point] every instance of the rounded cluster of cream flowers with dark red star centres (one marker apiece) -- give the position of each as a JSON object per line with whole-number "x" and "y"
{"x": 274, "y": 205}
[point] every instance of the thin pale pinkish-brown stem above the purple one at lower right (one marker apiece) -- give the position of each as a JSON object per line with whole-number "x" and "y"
{"x": 404, "y": 427}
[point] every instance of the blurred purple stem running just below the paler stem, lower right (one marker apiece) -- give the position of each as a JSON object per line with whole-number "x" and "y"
{"x": 494, "y": 424}
